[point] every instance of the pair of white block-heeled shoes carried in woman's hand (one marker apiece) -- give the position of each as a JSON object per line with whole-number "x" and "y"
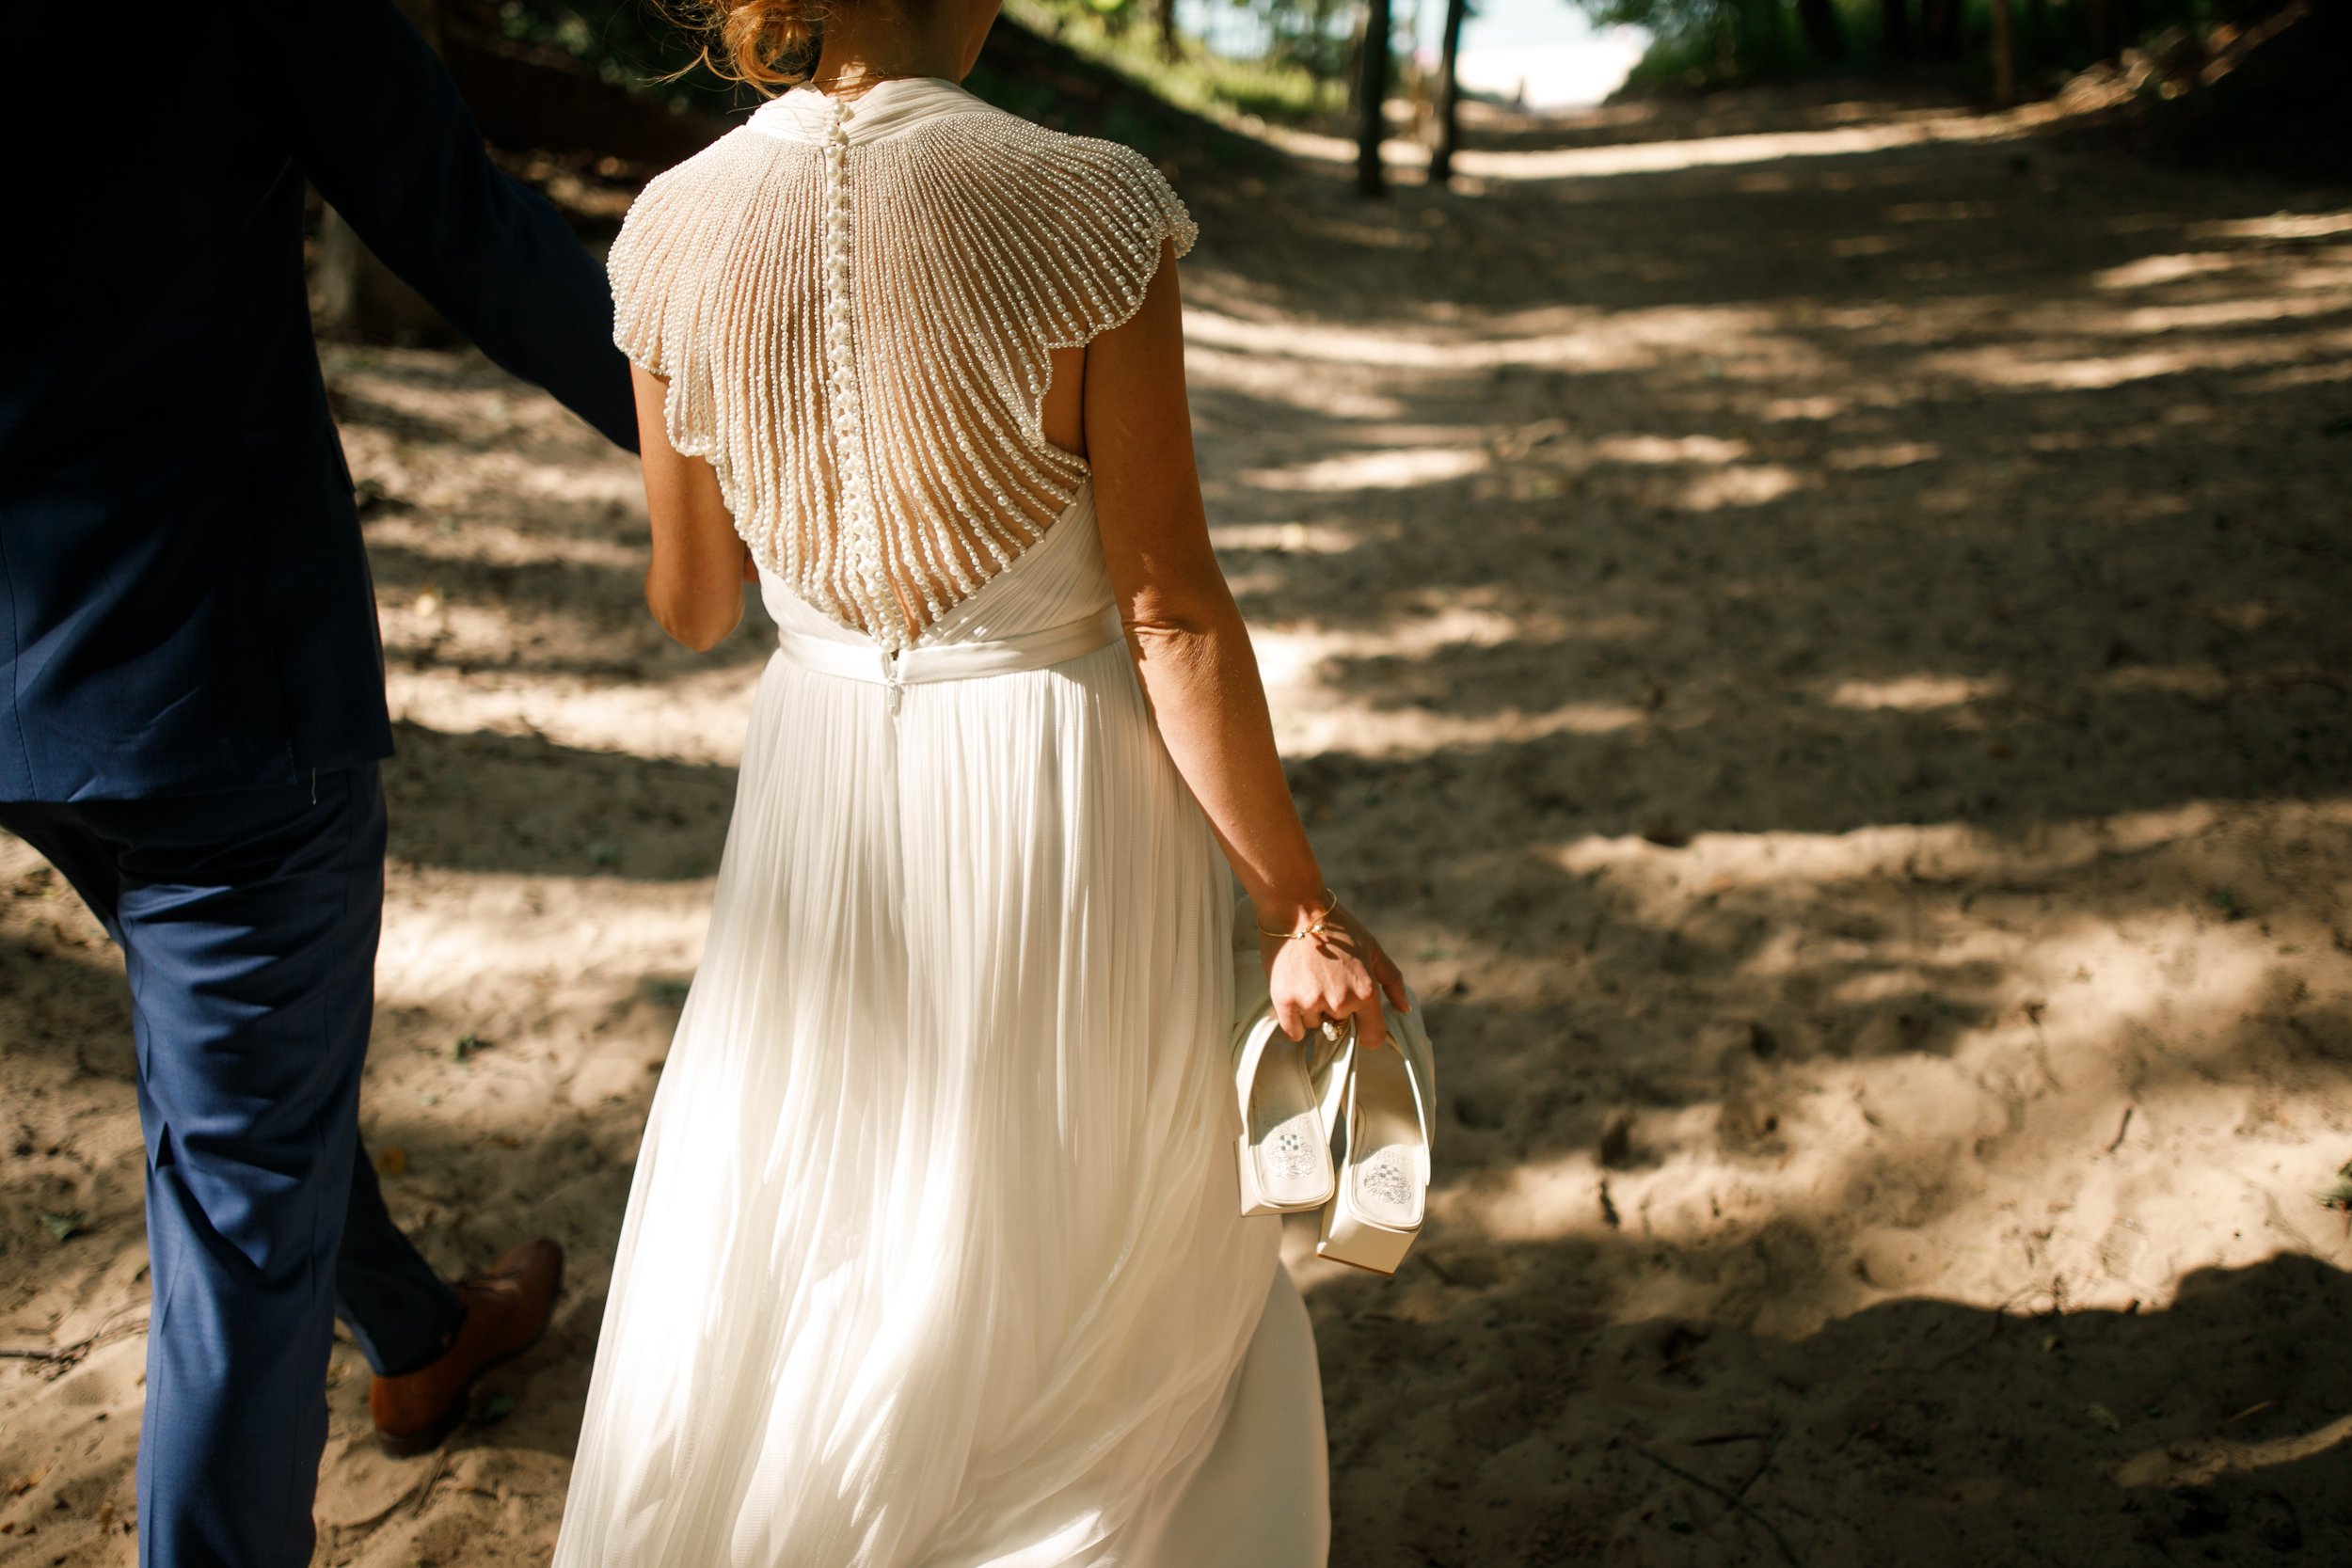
{"x": 1332, "y": 1127}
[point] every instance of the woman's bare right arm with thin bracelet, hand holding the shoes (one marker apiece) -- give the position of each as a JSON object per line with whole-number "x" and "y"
{"x": 1198, "y": 669}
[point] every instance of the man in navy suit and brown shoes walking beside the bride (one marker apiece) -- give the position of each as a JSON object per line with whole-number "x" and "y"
{"x": 192, "y": 690}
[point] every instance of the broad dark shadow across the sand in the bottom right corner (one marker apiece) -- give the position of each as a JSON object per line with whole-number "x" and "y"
{"x": 1909, "y": 1433}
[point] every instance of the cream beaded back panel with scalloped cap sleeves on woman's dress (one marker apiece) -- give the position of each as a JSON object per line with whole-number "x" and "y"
{"x": 857, "y": 333}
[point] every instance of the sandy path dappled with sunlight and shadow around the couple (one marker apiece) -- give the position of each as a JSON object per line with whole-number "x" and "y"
{"x": 1815, "y": 624}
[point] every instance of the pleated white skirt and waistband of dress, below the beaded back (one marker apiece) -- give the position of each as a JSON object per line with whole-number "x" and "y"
{"x": 933, "y": 1254}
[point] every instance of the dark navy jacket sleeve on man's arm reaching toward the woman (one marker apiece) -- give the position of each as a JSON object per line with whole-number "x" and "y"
{"x": 377, "y": 126}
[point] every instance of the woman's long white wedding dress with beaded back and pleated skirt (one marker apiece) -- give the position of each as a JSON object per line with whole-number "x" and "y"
{"x": 933, "y": 1254}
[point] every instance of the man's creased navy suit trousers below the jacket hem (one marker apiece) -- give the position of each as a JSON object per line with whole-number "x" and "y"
{"x": 248, "y": 923}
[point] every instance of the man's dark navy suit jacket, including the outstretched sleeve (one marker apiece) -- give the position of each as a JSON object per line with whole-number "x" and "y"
{"x": 185, "y": 598}
